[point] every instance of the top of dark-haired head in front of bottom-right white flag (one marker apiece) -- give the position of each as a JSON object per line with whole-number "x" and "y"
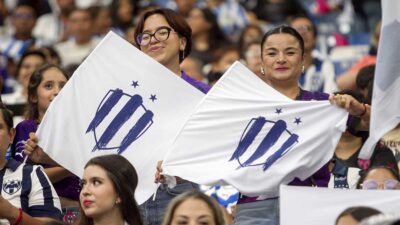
{"x": 354, "y": 215}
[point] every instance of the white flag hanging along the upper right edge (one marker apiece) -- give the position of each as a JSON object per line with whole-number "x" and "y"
{"x": 385, "y": 108}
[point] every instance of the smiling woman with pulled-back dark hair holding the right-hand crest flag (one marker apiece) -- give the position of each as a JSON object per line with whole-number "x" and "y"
{"x": 282, "y": 55}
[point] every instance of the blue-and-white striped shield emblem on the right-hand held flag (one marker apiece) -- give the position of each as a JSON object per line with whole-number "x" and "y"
{"x": 263, "y": 142}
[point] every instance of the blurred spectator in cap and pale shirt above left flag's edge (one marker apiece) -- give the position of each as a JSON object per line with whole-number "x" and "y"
{"x": 80, "y": 26}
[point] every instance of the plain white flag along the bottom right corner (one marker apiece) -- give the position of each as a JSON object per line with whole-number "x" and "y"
{"x": 316, "y": 206}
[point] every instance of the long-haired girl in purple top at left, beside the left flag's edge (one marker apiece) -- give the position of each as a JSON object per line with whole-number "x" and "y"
{"x": 44, "y": 85}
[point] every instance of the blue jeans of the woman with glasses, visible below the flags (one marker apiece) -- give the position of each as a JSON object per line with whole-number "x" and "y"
{"x": 153, "y": 210}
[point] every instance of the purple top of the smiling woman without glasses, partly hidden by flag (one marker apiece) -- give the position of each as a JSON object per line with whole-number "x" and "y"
{"x": 321, "y": 177}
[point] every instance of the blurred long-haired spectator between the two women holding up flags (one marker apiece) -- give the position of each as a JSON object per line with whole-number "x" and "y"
{"x": 206, "y": 34}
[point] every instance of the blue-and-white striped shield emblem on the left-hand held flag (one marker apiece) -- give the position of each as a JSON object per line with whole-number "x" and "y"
{"x": 119, "y": 110}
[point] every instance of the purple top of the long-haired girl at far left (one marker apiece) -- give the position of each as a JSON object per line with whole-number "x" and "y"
{"x": 67, "y": 187}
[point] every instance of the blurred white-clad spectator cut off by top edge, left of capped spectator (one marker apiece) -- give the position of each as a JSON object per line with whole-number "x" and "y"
{"x": 51, "y": 27}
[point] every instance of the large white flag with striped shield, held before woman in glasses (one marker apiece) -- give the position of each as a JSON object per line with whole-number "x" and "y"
{"x": 119, "y": 101}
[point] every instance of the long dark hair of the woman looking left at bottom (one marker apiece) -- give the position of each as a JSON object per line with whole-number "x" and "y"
{"x": 125, "y": 180}
